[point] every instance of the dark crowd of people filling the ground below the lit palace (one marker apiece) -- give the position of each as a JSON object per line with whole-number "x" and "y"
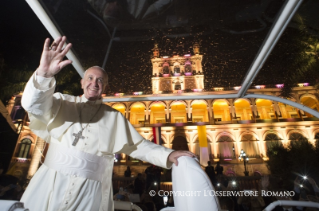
{"x": 305, "y": 189}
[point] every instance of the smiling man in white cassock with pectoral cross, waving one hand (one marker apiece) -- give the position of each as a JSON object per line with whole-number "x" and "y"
{"x": 83, "y": 134}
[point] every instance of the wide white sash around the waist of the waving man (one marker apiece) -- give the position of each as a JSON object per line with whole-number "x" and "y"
{"x": 74, "y": 162}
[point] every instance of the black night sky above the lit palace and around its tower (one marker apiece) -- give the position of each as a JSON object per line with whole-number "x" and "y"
{"x": 230, "y": 34}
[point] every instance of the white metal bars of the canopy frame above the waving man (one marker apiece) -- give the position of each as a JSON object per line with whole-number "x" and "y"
{"x": 279, "y": 26}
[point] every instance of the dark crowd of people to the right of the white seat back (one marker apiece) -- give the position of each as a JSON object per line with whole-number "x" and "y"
{"x": 305, "y": 189}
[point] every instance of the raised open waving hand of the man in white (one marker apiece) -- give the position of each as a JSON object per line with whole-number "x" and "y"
{"x": 52, "y": 57}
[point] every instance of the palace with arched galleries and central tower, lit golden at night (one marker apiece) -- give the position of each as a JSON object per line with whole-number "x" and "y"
{"x": 231, "y": 125}
